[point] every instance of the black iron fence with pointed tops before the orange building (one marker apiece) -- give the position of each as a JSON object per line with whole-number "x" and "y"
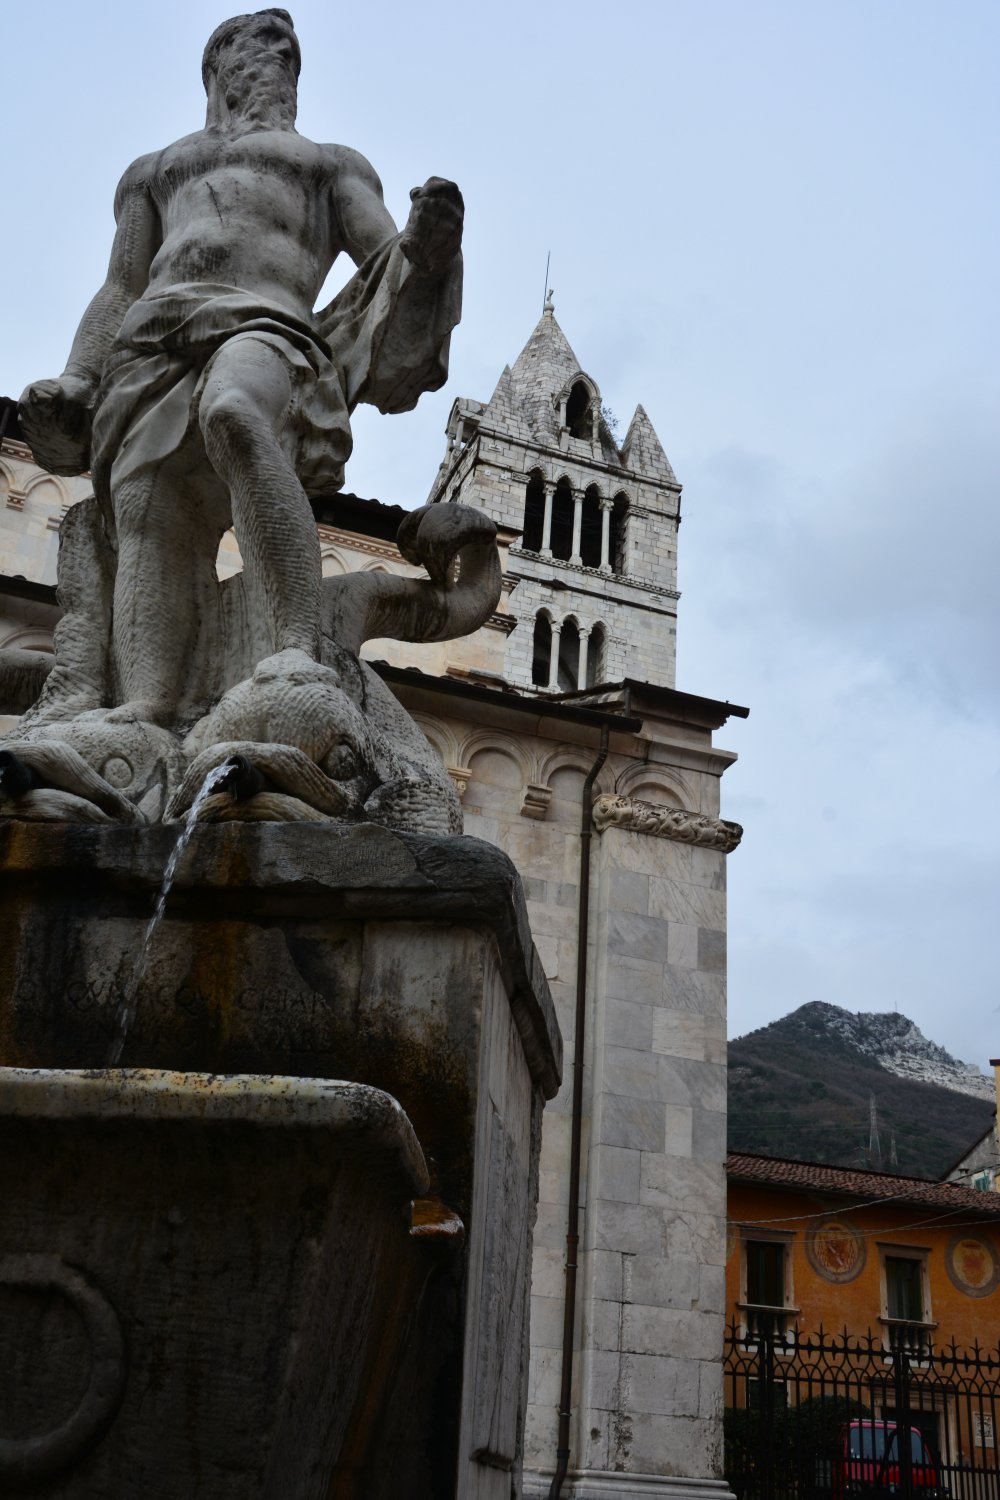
{"x": 839, "y": 1417}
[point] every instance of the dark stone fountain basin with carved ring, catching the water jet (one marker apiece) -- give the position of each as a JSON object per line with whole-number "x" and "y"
{"x": 275, "y": 1211}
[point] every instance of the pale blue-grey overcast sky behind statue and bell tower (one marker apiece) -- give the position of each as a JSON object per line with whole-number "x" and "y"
{"x": 776, "y": 226}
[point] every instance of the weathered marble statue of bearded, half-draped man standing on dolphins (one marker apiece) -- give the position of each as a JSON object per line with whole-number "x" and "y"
{"x": 205, "y": 392}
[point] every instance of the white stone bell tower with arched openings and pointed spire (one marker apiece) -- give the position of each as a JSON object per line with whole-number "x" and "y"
{"x": 597, "y": 559}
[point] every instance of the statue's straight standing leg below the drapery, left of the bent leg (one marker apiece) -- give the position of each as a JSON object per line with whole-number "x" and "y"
{"x": 169, "y": 541}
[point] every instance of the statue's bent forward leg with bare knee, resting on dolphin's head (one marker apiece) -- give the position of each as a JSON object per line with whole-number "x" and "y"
{"x": 247, "y": 403}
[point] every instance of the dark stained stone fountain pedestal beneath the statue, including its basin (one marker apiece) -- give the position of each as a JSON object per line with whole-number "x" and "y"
{"x": 287, "y": 1325}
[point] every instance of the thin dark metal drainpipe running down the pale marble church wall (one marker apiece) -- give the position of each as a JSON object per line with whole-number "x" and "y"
{"x": 573, "y": 1213}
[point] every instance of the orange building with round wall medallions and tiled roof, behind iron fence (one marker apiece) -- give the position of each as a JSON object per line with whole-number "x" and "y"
{"x": 858, "y": 1297}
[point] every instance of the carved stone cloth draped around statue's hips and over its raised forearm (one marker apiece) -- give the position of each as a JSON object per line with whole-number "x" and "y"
{"x": 385, "y": 341}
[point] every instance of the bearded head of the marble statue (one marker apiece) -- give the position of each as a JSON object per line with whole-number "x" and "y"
{"x": 251, "y": 68}
